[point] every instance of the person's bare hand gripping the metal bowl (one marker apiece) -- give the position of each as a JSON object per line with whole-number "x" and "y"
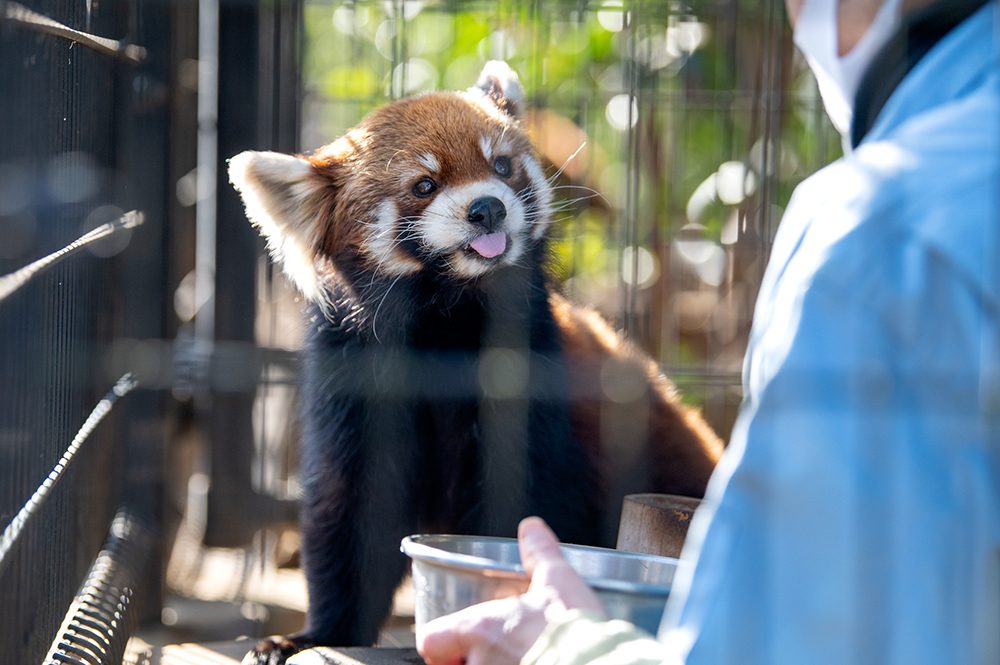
{"x": 500, "y": 632}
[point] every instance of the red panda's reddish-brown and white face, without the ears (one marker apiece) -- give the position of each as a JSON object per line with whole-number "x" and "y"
{"x": 444, "y": 178}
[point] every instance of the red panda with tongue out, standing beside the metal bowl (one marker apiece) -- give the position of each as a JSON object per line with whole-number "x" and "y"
{"x": 446, "y": 385}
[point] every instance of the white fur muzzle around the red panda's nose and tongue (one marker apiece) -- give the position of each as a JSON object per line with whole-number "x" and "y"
{"x": 444, "y": 228}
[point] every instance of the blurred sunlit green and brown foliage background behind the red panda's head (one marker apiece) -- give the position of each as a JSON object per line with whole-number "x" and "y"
{"x": 725, "y": 121}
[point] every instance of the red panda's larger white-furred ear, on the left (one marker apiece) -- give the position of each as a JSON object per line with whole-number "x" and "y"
{"x": 283, "y": 195}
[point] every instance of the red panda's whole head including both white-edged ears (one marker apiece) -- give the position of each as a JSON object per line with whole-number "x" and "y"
{"x": 444, "y": 181}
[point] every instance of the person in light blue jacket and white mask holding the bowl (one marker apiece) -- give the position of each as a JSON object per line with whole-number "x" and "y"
{"x": 855, "y": 516}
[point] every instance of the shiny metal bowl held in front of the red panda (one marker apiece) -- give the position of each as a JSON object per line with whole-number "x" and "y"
{"x": 454, "y": 572}
